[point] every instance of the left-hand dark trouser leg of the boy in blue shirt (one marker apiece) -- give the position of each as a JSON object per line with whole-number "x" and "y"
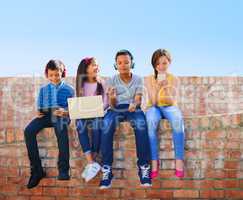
{"x": 30, "y": 132}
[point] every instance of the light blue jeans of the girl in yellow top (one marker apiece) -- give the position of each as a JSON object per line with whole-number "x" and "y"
{"x": 175, "y": 118}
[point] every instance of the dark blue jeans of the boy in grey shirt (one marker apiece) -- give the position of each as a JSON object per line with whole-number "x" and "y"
{"x": 138, "y": 121}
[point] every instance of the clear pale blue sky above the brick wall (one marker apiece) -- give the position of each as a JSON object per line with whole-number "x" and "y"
{"x": 205, "y": 37}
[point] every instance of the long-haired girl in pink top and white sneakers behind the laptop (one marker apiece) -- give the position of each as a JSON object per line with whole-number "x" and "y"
{"x": 88, "y": 83}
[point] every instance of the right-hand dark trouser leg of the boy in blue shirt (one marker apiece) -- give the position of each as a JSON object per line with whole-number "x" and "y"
{"x": 61, "y": 130}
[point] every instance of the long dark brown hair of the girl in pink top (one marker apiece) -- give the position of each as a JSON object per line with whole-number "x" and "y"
{"x": 81, "y": 77}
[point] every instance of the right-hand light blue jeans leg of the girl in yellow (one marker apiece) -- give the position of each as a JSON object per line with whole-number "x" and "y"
{"x": 174, "y": 115}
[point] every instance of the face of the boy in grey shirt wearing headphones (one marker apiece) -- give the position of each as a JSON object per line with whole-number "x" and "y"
{"x": 124, "y": 63}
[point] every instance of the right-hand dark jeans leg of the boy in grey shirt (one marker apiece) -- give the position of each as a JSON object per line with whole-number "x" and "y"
{"x": 138, "y": 122}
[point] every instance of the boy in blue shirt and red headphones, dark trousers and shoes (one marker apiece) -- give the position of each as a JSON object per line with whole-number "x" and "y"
{"x": 52, "y": 112}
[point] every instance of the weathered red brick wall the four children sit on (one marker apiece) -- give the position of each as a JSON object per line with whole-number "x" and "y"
{"x": 213, "y": 110}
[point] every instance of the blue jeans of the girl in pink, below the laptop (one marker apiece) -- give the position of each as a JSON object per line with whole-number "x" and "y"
{"x": 82, "y": 126}
